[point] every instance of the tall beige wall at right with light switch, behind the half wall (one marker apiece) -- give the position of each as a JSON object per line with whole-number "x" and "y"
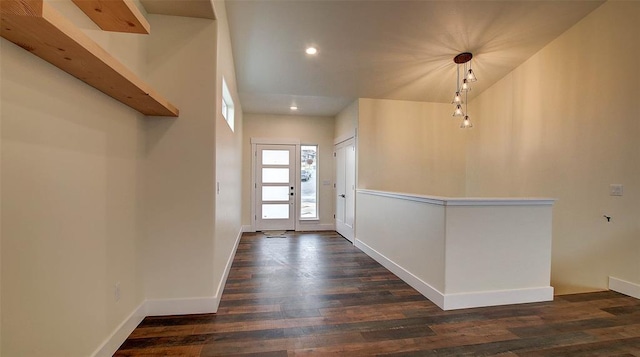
{"x": 565, "y": 125}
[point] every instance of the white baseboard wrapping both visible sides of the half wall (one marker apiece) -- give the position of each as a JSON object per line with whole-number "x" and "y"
{"x": 461, "y": 300}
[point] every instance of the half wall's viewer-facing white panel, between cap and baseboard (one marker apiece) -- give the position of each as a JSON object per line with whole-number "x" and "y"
{"x": 497, "y": 247}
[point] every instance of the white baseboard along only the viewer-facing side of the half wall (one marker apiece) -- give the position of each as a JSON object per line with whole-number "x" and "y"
{"x": 497, "y": 297}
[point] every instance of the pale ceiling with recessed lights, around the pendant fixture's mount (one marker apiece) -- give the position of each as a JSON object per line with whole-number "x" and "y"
{"x": 384, "y": 49}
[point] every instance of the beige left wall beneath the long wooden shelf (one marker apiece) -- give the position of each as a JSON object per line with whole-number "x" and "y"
{"x": 71, "y": 182}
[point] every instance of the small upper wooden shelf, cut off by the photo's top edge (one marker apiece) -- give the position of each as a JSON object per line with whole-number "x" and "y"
{"x": 115, "y": 15}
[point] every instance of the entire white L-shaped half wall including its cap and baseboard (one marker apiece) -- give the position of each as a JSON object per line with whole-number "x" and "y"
{"x": 460, "y": 252}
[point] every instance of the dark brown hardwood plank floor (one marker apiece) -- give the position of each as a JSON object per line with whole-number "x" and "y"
{"x": 318, "y": 294}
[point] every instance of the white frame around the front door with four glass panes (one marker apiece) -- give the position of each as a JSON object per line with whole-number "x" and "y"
{"x": 274, "y": 141}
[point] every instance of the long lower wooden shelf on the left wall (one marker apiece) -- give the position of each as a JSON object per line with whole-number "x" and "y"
{"x": 39, "y": 29}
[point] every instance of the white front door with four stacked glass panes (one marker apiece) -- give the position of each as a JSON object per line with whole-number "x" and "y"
{"x": 275, "y": 187}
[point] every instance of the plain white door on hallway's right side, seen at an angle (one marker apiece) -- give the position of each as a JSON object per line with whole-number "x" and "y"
{"x": 345, "y": 188}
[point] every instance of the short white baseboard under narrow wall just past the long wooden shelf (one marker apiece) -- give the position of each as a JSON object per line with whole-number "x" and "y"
{"x": 182, "y": 306}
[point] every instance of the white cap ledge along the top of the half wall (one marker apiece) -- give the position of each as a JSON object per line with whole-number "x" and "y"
{"x": 461, "y": 201}
